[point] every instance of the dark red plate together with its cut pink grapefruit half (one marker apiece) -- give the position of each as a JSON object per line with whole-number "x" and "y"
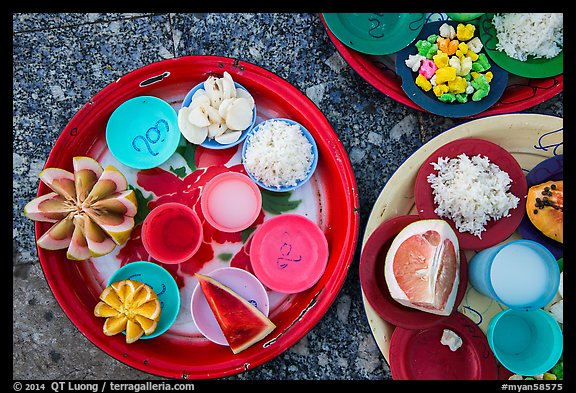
{"x": 398, "y": 310}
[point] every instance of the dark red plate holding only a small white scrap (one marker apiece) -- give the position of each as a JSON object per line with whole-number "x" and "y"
{"x": 419, "y": 354}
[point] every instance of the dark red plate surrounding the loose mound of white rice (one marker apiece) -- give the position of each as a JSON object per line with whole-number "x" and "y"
{"x": 495, "y": 230}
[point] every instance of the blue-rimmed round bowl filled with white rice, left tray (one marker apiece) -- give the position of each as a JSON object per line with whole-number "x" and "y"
{"x": 280, "y": 154}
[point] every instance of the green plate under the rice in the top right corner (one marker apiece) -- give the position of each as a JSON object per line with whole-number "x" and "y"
{"x": 531, "y": 68}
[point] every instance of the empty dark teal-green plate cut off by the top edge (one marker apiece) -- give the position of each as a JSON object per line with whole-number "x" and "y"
{"x": 375, "y": 34}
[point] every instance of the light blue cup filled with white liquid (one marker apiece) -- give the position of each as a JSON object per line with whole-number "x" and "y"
{"x": 521, "y": 274}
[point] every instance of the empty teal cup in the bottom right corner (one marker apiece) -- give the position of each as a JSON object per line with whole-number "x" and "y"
{"x": 527, "y": 343}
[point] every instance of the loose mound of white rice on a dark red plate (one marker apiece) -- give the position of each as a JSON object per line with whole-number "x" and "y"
{"x": 471, "y": 192}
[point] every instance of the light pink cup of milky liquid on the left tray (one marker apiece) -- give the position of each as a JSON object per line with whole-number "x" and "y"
{"x": 231, "y": 202}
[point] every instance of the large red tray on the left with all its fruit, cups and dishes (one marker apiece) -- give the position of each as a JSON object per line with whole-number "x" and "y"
{"x": 173, "y": 222}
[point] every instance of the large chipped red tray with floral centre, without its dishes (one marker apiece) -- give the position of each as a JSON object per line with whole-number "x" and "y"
{"x": 178, "y": 354}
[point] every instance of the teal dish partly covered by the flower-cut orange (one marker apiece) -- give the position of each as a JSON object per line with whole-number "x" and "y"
{"x": 161, "y": 282}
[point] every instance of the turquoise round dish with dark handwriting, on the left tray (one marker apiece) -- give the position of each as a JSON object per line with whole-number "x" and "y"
{"x": 143, "y": 132}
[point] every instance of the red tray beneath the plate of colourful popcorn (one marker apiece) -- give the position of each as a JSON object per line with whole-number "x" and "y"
{"x": 520, "y": 94}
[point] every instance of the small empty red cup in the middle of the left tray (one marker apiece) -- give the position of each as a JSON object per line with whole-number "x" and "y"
{"x": 172, "y": 233}
